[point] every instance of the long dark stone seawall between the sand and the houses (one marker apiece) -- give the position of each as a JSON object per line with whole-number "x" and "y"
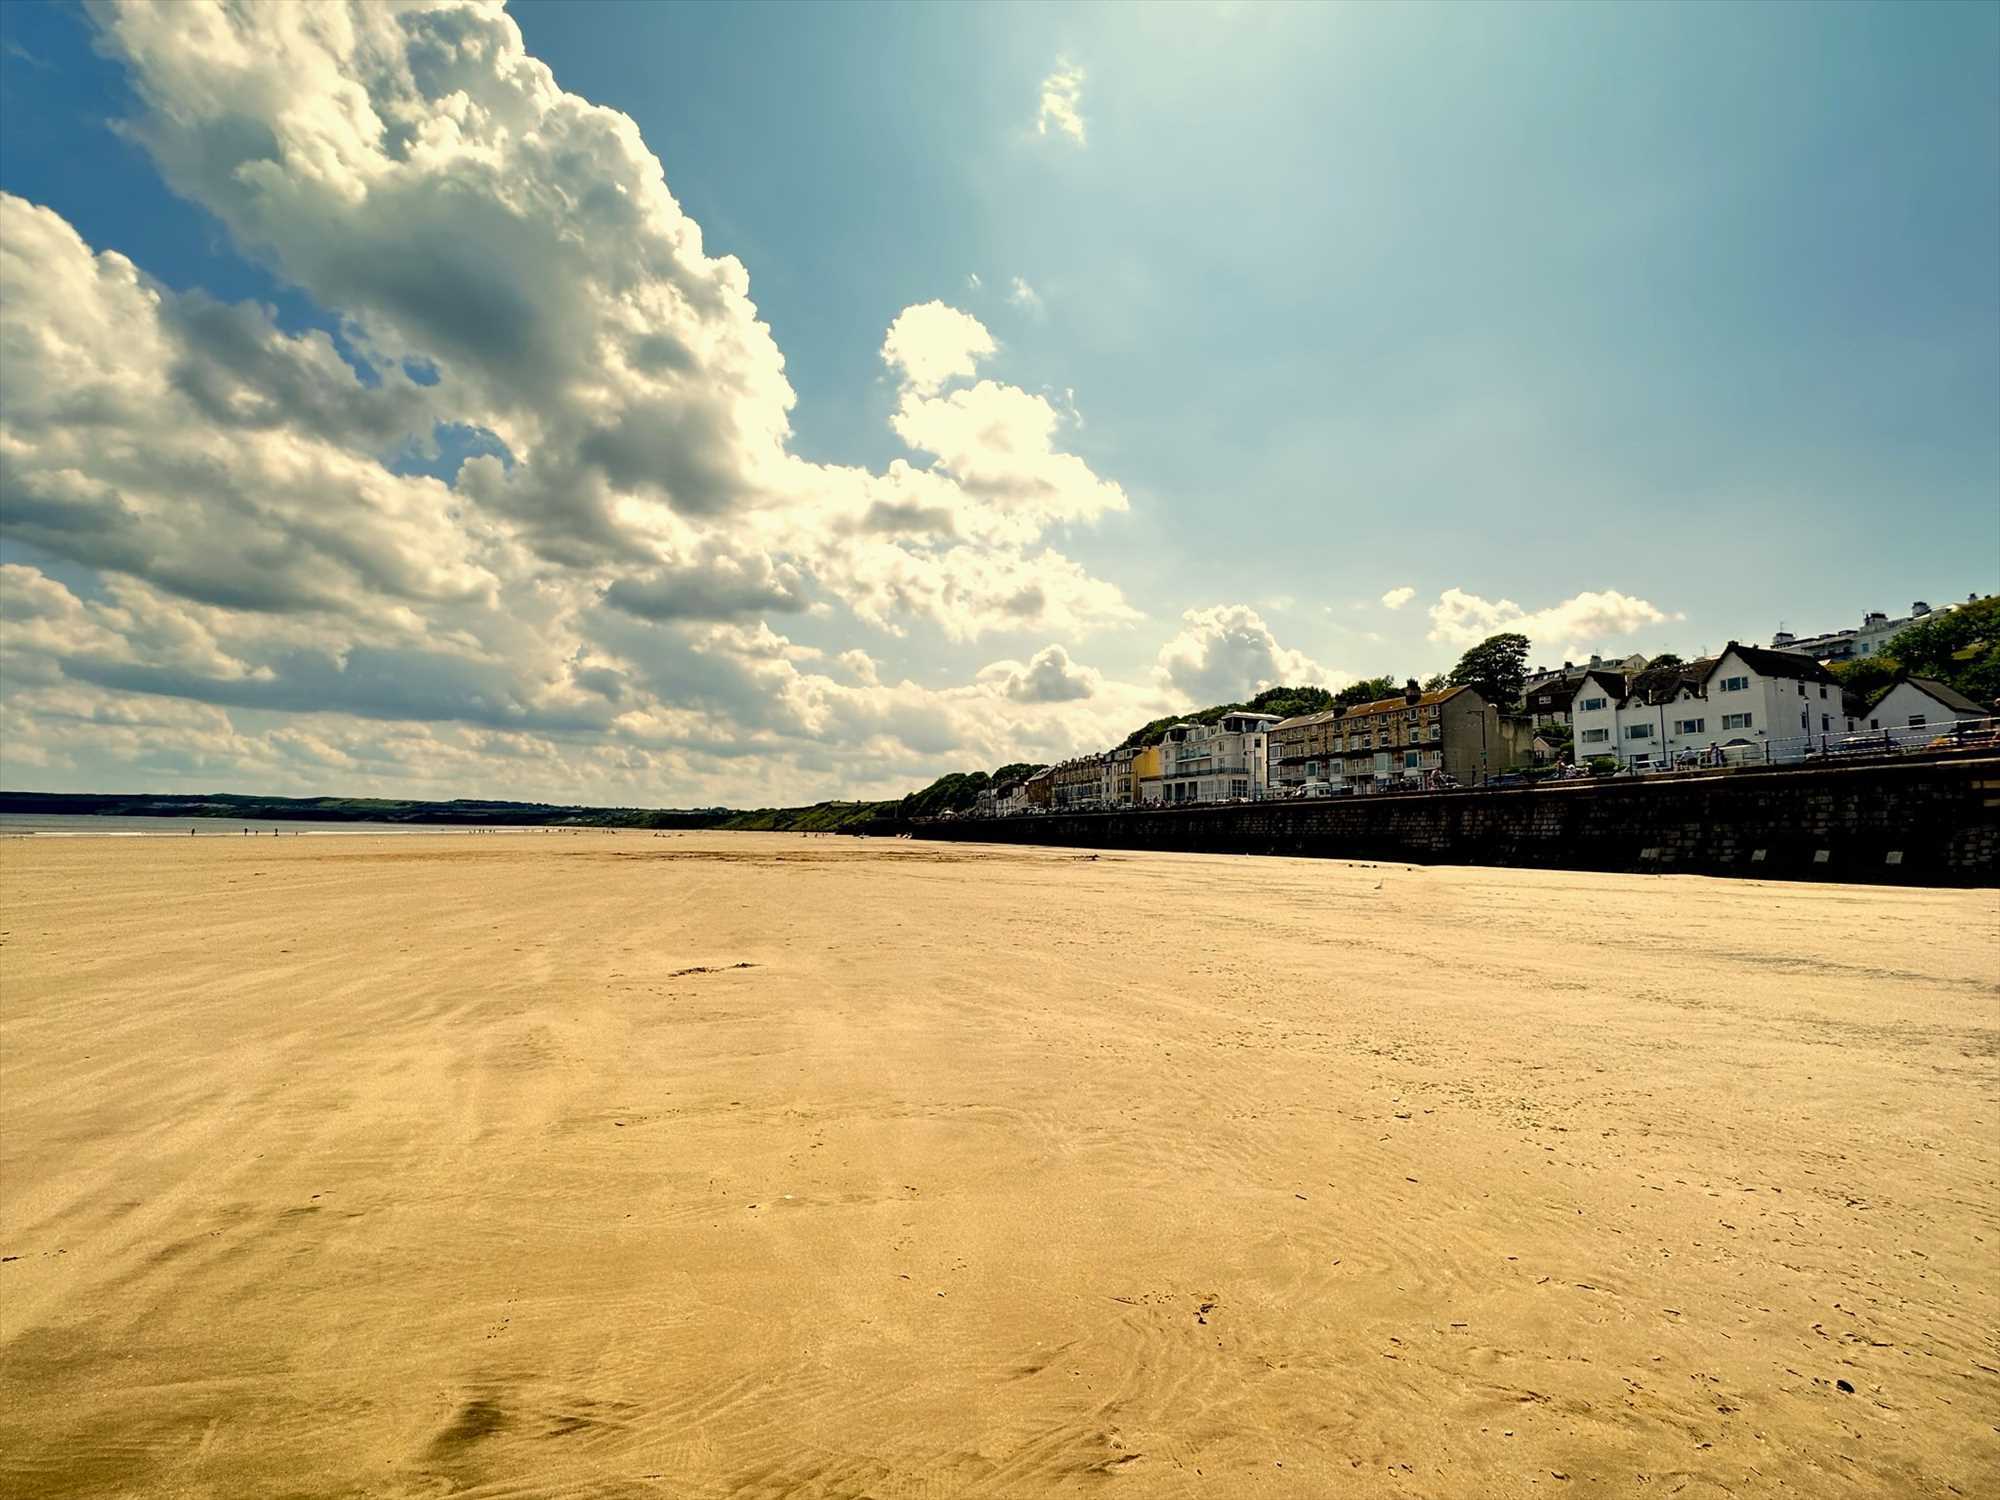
{"x": 1931, "y": 823}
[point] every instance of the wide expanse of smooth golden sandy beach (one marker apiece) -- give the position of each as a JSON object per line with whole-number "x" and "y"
{"x": 743, "y": 1165}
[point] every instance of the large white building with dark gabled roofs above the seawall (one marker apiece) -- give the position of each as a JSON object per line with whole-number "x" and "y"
{"x": 1749, "y": 703}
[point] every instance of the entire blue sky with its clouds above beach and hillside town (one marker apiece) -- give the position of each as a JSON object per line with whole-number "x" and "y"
{"x": 1639, "y": 327}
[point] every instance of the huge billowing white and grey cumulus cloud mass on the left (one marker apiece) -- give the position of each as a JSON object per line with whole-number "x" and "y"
{"x": 583, "y": 609}
